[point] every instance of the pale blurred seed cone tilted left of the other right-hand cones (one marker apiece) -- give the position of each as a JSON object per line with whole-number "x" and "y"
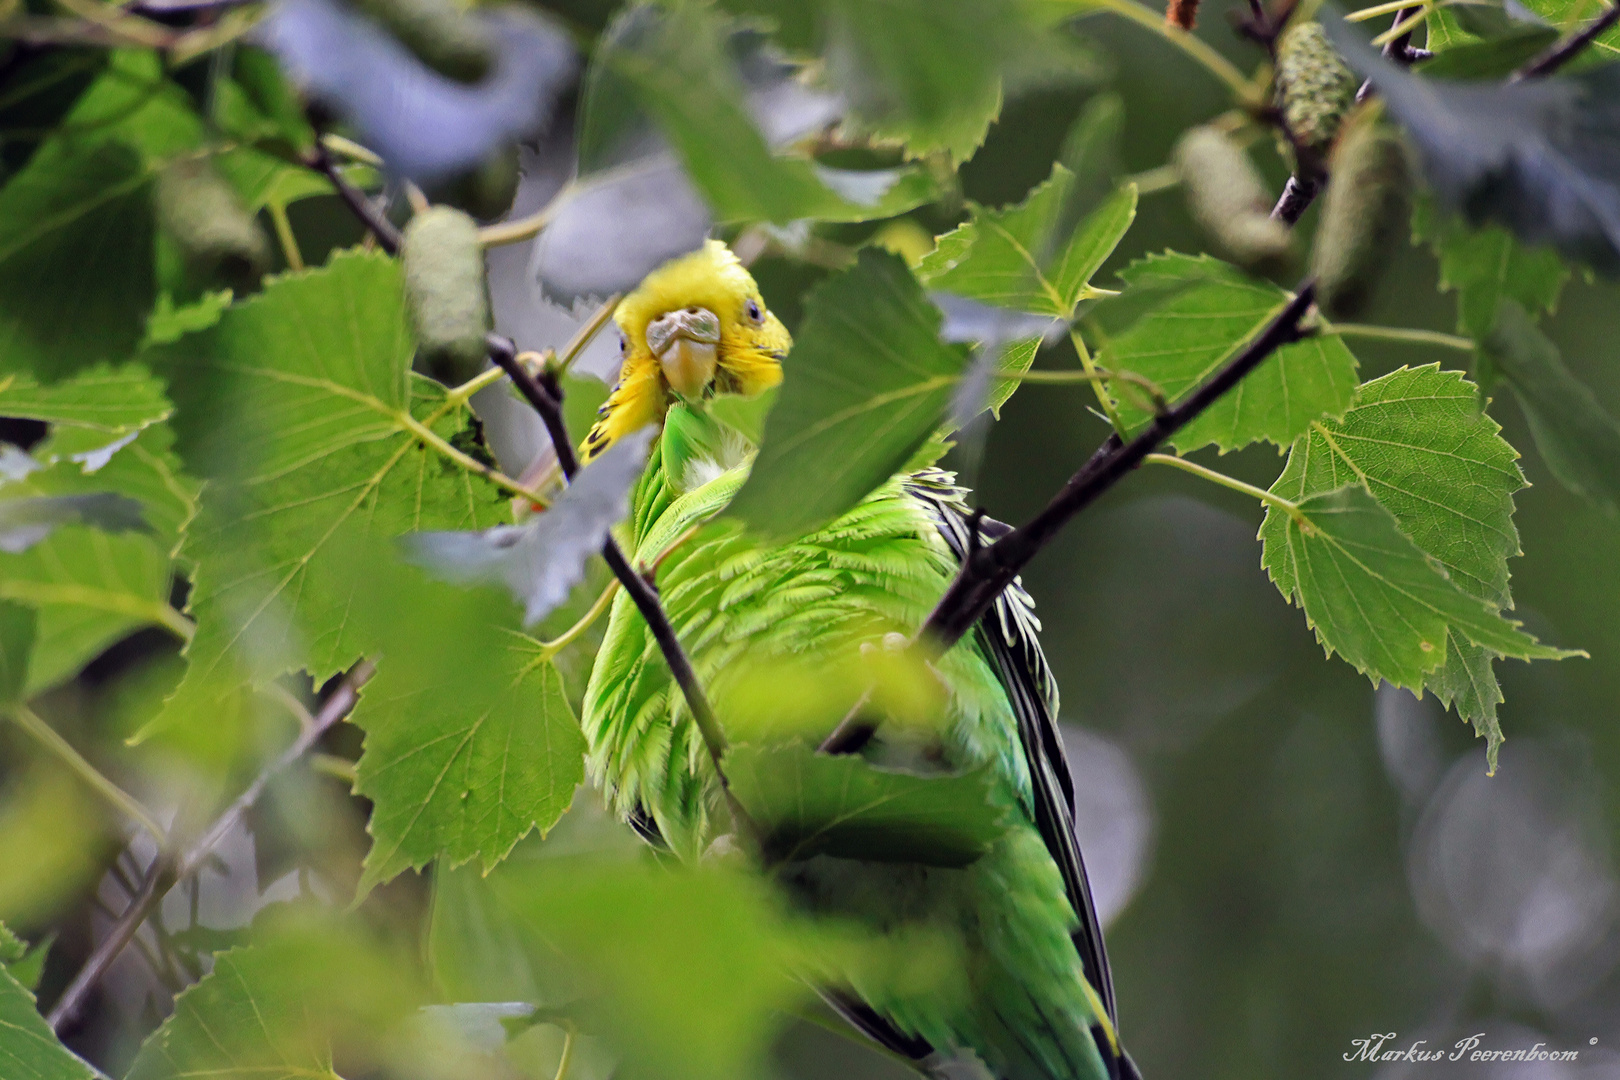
{"x": 1229, "y": 198}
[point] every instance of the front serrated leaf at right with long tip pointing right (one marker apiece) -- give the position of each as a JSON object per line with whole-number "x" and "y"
{"x": 1376, "y": 598}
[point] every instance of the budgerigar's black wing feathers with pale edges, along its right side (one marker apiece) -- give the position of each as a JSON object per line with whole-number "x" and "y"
{"x": 1008, "y": 634}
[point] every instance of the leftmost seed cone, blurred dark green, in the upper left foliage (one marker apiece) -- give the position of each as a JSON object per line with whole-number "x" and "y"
{"x": 215, "y": 232}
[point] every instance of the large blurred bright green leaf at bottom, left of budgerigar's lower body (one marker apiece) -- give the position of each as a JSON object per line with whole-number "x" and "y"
{"x": 691, "y": 966}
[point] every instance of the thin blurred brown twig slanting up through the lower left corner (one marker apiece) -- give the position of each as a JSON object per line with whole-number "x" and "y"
{"x": 171, "y": 867}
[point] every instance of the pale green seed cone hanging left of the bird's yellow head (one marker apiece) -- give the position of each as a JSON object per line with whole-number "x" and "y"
{"x": 445, "y": 286}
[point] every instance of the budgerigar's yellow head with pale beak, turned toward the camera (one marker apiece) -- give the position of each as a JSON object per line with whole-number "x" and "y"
{"x": 694, "y": 328}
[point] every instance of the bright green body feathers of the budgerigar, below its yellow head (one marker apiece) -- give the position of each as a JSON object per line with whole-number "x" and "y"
{"x": 738, "y": 605}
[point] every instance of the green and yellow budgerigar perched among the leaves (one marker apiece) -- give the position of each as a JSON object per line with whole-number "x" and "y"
{"x": 1038, "y": 1001}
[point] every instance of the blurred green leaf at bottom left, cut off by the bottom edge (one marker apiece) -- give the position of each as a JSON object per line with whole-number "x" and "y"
{"x": 284, "y": 1010}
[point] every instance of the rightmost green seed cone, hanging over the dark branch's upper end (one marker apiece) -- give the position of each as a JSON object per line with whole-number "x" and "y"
{"x": 1365, "y": 218}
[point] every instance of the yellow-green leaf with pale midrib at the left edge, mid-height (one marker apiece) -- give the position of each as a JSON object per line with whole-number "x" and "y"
{"x": 88, "y": 589}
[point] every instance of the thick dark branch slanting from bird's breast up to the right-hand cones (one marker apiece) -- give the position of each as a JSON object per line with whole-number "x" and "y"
{"x": 994, "y": 568}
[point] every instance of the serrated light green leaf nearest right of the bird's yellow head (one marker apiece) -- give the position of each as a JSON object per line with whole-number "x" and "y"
{"x": 995, "y": 257}
